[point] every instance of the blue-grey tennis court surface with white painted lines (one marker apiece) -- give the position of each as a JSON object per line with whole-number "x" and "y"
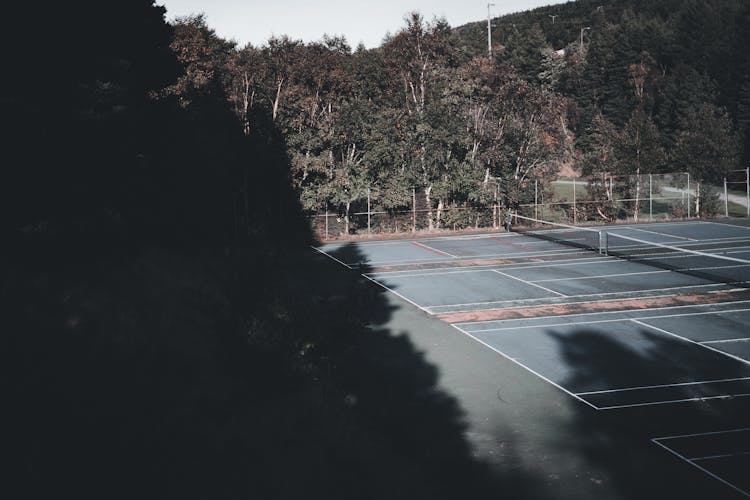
{"x": 618, "y": 317}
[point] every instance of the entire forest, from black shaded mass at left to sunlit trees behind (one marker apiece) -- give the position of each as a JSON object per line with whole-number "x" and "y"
{"x": 166, "y": 332}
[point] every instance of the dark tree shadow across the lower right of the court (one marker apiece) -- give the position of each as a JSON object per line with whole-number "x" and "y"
{"x": 618, "y": 440}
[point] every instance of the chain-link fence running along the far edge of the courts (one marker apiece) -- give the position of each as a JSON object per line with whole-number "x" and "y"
{"x": 573, "y": 200}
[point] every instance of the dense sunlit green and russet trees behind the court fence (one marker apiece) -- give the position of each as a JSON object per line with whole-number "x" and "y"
{"x": 428, "y": 112}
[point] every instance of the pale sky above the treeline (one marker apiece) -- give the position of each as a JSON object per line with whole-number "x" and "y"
{"x": 254, "y": 21}
